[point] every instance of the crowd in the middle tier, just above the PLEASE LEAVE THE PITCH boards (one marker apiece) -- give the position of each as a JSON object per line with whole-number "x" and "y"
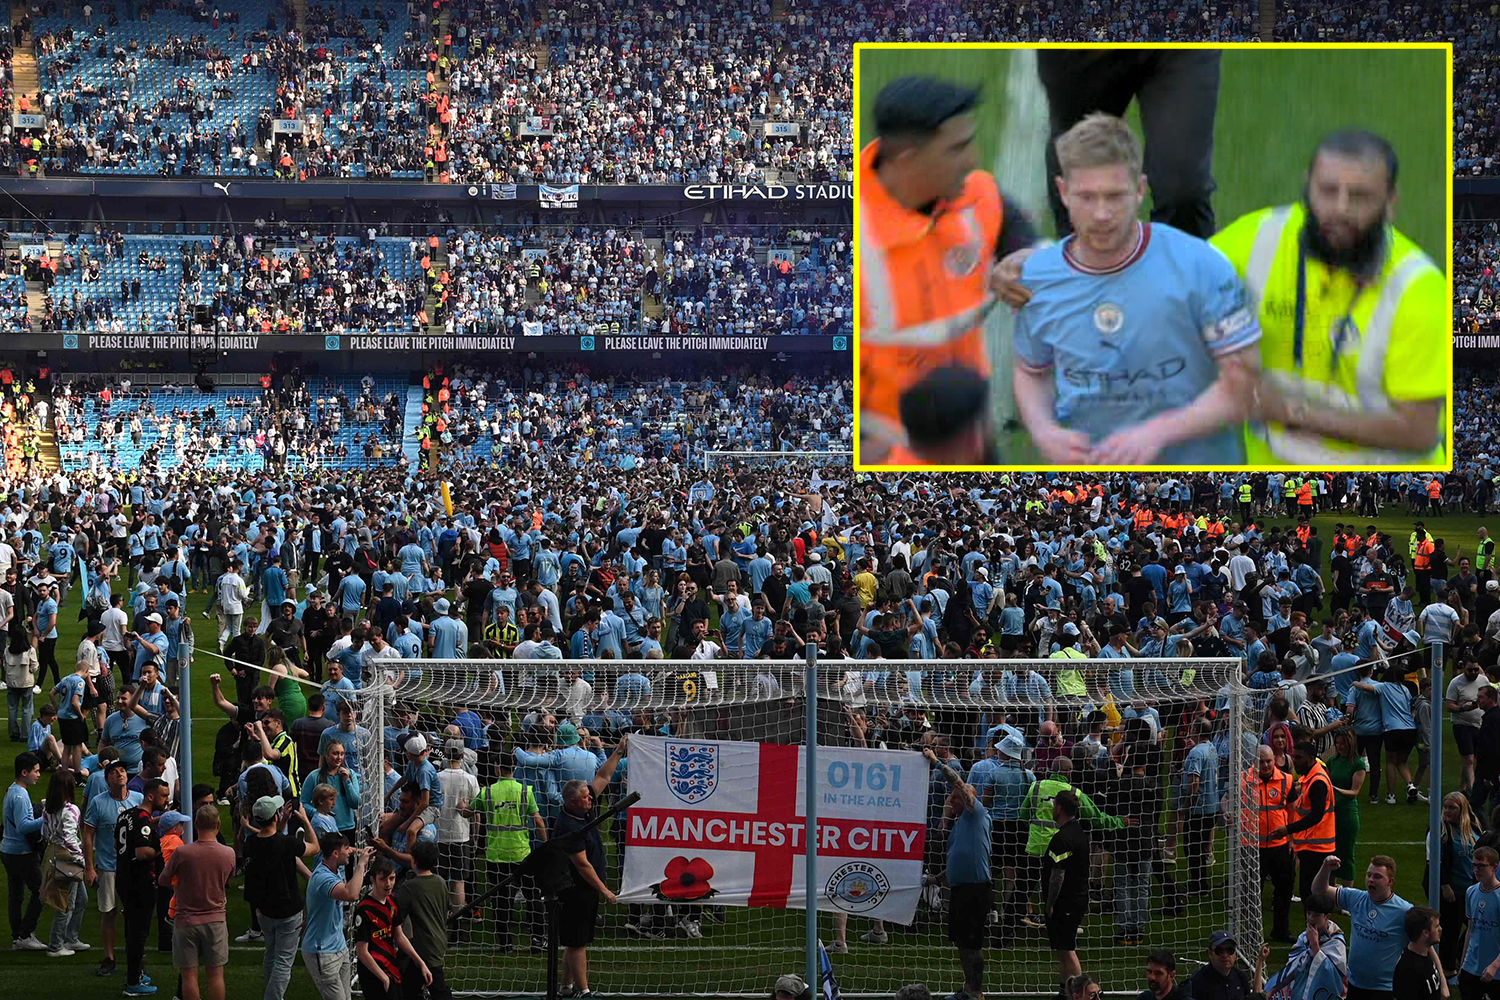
{"x": 514, "y": 281}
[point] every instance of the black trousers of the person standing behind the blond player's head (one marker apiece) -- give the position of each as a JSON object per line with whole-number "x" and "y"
{"x": 1178, "y": 95}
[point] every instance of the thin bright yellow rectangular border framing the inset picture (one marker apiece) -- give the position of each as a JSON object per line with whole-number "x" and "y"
{"x": 1448, "y": 227}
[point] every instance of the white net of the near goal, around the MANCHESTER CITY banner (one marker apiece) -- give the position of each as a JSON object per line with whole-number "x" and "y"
{"x": 1157, "y": 746}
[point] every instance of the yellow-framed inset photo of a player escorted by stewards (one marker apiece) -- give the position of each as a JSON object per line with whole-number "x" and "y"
{"x": 1154, "y": 257}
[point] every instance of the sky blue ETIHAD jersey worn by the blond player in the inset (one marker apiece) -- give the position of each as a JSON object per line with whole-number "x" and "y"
{"x": 1138, "y": 341}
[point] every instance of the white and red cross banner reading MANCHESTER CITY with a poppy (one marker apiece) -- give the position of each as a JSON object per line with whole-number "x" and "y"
{"x": 724, "y": 824}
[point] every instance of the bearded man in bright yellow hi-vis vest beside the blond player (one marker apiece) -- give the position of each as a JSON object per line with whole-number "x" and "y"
{"x": 1355, "y": 319}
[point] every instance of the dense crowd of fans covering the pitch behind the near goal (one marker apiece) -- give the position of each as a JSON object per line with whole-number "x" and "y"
{"x": 557, "y": 560}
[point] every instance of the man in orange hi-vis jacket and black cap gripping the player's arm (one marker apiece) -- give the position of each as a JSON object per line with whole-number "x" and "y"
{"x": 931, "y": 230}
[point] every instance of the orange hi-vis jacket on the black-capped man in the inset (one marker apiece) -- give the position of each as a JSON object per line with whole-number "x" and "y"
{"x": 923, "y": 292}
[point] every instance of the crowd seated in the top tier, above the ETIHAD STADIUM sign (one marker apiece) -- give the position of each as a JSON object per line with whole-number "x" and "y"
{"x": 619, "y": 94}
